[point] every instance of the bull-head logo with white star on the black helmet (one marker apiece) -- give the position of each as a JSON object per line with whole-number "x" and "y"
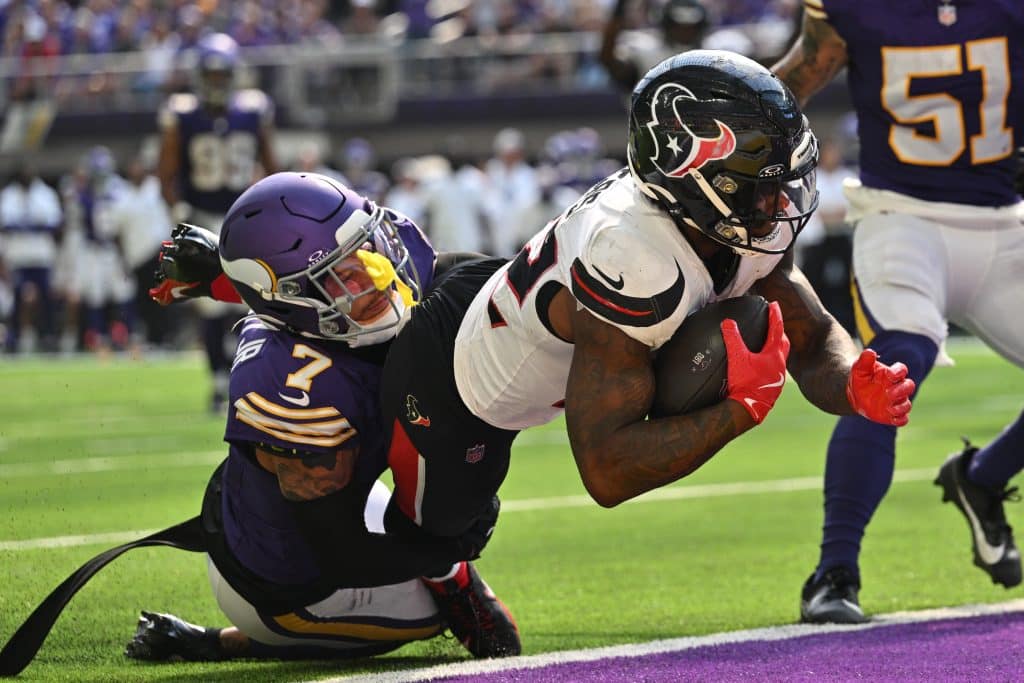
{"x": 678, "y": 155}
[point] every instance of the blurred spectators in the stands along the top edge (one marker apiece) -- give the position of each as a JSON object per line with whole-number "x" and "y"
{"x": 163, "y": 30}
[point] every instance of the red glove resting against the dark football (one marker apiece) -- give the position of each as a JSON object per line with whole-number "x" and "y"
{"x": 756, "y": 379}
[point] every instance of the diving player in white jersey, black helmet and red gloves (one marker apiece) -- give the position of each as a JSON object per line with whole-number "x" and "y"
{"x": 720, "y": 183}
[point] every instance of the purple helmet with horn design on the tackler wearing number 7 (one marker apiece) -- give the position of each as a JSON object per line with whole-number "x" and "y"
{"x": 284, "y": 238}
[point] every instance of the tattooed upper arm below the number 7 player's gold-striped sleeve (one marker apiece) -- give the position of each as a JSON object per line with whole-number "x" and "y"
{"x": 312, "y": 477}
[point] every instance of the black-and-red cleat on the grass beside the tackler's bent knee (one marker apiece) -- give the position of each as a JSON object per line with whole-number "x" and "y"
{"x": 478, "y": 618}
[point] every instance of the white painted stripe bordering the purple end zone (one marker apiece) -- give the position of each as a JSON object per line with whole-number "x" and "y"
{"x": 472, "y": 668}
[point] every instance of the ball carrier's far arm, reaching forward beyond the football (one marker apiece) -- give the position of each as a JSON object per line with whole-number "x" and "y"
{"x": 822, "y": 352}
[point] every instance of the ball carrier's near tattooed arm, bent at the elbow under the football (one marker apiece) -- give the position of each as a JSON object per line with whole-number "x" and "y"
{"x": 619, "y": 453}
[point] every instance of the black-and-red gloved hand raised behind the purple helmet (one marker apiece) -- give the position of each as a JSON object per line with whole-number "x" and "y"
{"x": 190, "y": 268}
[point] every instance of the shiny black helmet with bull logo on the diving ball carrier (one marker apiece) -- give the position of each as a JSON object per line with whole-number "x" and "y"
{"x": 722, "y": 145}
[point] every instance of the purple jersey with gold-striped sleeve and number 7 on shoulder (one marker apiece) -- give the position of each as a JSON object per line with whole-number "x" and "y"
{"x": 292, "y": 394}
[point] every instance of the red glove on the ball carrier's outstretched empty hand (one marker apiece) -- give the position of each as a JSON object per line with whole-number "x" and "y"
{"x": 878, "y": 392}
